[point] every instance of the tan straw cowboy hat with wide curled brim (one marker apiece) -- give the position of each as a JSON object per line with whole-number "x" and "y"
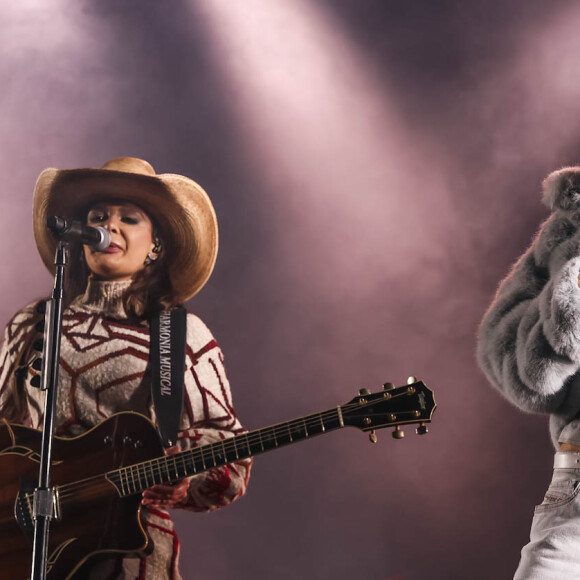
{"x": 181, "y": 208}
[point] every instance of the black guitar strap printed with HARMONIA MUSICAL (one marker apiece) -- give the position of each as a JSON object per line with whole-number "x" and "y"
{"x": 167, "y": 360}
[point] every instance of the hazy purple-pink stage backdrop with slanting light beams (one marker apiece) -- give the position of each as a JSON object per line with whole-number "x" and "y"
{"x": 375, "y": 167}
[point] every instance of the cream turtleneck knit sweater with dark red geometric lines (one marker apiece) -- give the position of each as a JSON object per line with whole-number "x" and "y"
{"x": 102, "y": 366}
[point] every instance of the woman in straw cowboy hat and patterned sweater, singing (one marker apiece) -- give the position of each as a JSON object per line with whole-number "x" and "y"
{"x": 163, "y": 246}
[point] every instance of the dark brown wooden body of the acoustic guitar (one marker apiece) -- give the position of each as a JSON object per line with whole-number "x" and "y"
{"x": 94, "y": 520}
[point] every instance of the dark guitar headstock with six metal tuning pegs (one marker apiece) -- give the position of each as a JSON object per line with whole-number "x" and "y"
{"x": 391, "y": 407}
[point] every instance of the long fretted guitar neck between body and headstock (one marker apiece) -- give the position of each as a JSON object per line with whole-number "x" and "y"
{"x": 136, "y": 478}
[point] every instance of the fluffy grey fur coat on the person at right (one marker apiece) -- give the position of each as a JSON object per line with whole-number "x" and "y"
{"x": 529, "y": 339}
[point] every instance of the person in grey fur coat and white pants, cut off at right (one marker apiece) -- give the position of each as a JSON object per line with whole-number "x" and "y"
{"x": 529, "y": 349}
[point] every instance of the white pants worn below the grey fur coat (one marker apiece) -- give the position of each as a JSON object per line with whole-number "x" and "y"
{"x": 553, "y": 552}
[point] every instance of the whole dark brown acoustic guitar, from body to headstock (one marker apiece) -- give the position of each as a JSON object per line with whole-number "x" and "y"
{"x": 98, "y": 477}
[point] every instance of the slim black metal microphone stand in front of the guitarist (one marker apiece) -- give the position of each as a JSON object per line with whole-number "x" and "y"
{"x": 45, "y": 504}
